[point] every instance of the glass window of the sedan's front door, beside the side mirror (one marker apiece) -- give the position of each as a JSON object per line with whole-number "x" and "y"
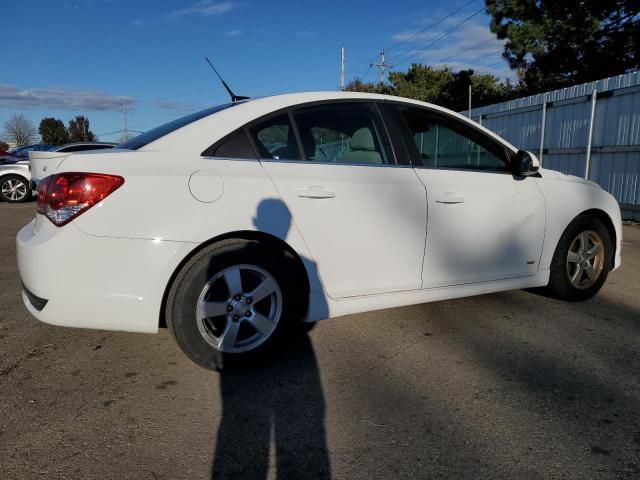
{"x": 446, "y": 143}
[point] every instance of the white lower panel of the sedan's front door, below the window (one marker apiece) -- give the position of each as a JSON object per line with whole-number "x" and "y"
{"x": 496, "y": 231}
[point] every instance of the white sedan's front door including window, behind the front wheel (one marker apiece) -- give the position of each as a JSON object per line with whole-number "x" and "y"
{"x": 484, "y": 223}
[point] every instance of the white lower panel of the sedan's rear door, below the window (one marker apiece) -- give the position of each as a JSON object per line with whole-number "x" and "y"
{"x": 360, "y": 215}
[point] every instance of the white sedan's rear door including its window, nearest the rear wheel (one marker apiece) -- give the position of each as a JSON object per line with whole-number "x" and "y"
{"x": 362, "y": 215}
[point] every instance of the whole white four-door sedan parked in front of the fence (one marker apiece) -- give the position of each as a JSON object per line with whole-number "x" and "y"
{"x": 231, "y": 225}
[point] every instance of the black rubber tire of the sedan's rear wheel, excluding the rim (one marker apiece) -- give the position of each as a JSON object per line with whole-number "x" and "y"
{"x": 189, "y": 284}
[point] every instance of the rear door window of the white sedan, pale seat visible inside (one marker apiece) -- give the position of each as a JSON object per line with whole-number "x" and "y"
{"x": 342, "y": 133}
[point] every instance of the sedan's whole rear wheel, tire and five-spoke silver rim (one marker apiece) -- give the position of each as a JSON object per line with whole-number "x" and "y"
{"x": 232, "y": 302}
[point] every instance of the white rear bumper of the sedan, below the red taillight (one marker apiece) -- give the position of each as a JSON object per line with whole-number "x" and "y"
{"x": 94, "y": 282}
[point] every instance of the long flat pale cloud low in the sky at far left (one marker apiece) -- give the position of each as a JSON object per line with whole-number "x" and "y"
{"x": 61, "y": 99}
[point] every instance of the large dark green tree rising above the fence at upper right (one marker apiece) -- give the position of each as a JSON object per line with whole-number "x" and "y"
{"x": 554, "y": 43}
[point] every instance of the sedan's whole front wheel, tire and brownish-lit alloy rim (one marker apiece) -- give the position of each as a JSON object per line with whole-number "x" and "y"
{"x": 581, "y": 261}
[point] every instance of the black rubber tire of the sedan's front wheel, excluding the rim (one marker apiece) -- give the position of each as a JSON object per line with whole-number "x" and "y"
{"x": 560, "y": 285}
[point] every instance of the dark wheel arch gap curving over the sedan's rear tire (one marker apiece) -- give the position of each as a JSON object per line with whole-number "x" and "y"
{"x": 255, "y": 235}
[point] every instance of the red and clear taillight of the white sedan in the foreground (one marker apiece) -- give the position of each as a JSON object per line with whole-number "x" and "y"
{"x": 64, "y": 196}
